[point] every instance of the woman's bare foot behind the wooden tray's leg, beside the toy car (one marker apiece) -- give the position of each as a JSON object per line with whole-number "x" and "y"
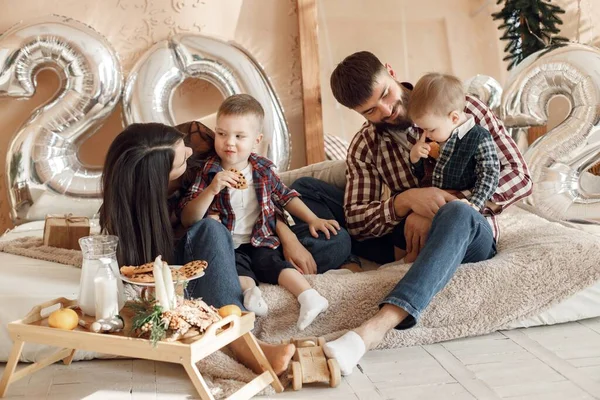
{"x": 278, "y": 355}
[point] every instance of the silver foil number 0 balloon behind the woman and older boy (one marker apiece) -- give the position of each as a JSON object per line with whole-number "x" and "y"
{"x": 231, "y": 69}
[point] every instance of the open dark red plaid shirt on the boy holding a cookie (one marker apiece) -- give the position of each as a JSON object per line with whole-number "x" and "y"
{"x": 270, "y": 192}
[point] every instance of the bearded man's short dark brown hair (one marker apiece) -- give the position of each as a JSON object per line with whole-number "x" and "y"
{"x": 353, "y": 79}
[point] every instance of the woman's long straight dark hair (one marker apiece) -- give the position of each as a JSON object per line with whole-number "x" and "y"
{"x": 135, "y": 189}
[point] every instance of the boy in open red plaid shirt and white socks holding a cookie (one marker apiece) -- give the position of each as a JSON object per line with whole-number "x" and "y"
{"x": 250, "y": 214}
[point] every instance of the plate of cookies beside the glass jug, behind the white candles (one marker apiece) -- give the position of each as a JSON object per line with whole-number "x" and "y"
{"x": 142, "y": 275}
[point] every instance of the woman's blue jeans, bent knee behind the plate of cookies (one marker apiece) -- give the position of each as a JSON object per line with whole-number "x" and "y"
{"x": 209, "y": 240}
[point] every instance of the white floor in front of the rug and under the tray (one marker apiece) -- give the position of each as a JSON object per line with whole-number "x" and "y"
{"x": 554, "y": 362}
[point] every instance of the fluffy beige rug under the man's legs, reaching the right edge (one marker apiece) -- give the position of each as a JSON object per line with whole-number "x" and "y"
{"x": 539, "y": 263}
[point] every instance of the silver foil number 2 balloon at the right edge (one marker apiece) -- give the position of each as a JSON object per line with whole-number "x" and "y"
{"x": 558, "y": 161}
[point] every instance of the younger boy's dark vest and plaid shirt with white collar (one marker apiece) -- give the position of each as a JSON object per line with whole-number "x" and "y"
{"x": 467, "y": 161}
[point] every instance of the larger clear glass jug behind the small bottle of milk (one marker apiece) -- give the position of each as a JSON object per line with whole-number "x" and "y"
{"x": 95, "y": 249}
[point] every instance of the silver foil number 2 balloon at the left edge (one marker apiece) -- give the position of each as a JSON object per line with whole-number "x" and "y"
{"x": 44, "y": 172}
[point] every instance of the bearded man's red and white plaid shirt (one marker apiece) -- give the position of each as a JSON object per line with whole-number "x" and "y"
{"x": 378, "y": 158}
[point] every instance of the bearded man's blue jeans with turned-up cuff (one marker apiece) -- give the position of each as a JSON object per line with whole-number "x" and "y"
{"x": 458, "y": 234}
